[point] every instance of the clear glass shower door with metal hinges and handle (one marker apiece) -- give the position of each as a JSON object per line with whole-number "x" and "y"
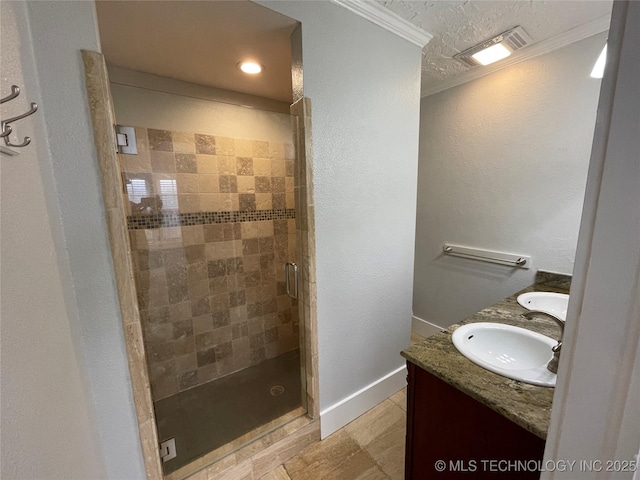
{"x": 212, "y": 224}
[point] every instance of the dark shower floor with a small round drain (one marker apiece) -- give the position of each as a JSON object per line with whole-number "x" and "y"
{"x": 206, "y": 417}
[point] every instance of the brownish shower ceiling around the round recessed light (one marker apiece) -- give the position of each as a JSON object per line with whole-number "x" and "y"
{"x": 200, "y": 42}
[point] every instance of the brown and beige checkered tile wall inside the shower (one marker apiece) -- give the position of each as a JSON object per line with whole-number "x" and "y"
{"x": 212, "y": 223}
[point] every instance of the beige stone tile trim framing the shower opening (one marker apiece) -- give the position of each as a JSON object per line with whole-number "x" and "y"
{"x": 103, "y": 120}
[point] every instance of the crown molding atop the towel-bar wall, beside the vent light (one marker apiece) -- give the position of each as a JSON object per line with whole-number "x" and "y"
{"x": 562, "y": 40}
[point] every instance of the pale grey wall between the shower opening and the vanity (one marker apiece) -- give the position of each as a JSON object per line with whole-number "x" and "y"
{"x": 364, "y": 87}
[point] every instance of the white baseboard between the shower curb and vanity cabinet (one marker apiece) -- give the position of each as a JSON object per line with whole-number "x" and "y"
{"x": 339, "y": 414}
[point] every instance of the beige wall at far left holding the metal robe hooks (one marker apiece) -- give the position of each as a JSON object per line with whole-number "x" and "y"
{"x": 48, "y": 421}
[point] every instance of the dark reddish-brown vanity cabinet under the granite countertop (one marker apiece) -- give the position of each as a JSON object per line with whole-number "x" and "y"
{"x": 444, "y": 424}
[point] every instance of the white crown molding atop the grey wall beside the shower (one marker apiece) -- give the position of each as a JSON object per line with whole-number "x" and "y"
{"x": 385, "y": 18}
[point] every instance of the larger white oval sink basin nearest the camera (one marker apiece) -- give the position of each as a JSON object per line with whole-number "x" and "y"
{"x": 509, "y": 351}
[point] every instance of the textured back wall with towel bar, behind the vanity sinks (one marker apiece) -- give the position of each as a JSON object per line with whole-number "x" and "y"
{"x": 503, "y": 166}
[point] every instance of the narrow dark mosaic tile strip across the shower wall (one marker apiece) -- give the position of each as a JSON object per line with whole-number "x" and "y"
{"x": 141, "y": 222}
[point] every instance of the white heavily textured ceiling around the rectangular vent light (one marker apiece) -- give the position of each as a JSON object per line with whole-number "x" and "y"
{"x": 459, "y": 24}
